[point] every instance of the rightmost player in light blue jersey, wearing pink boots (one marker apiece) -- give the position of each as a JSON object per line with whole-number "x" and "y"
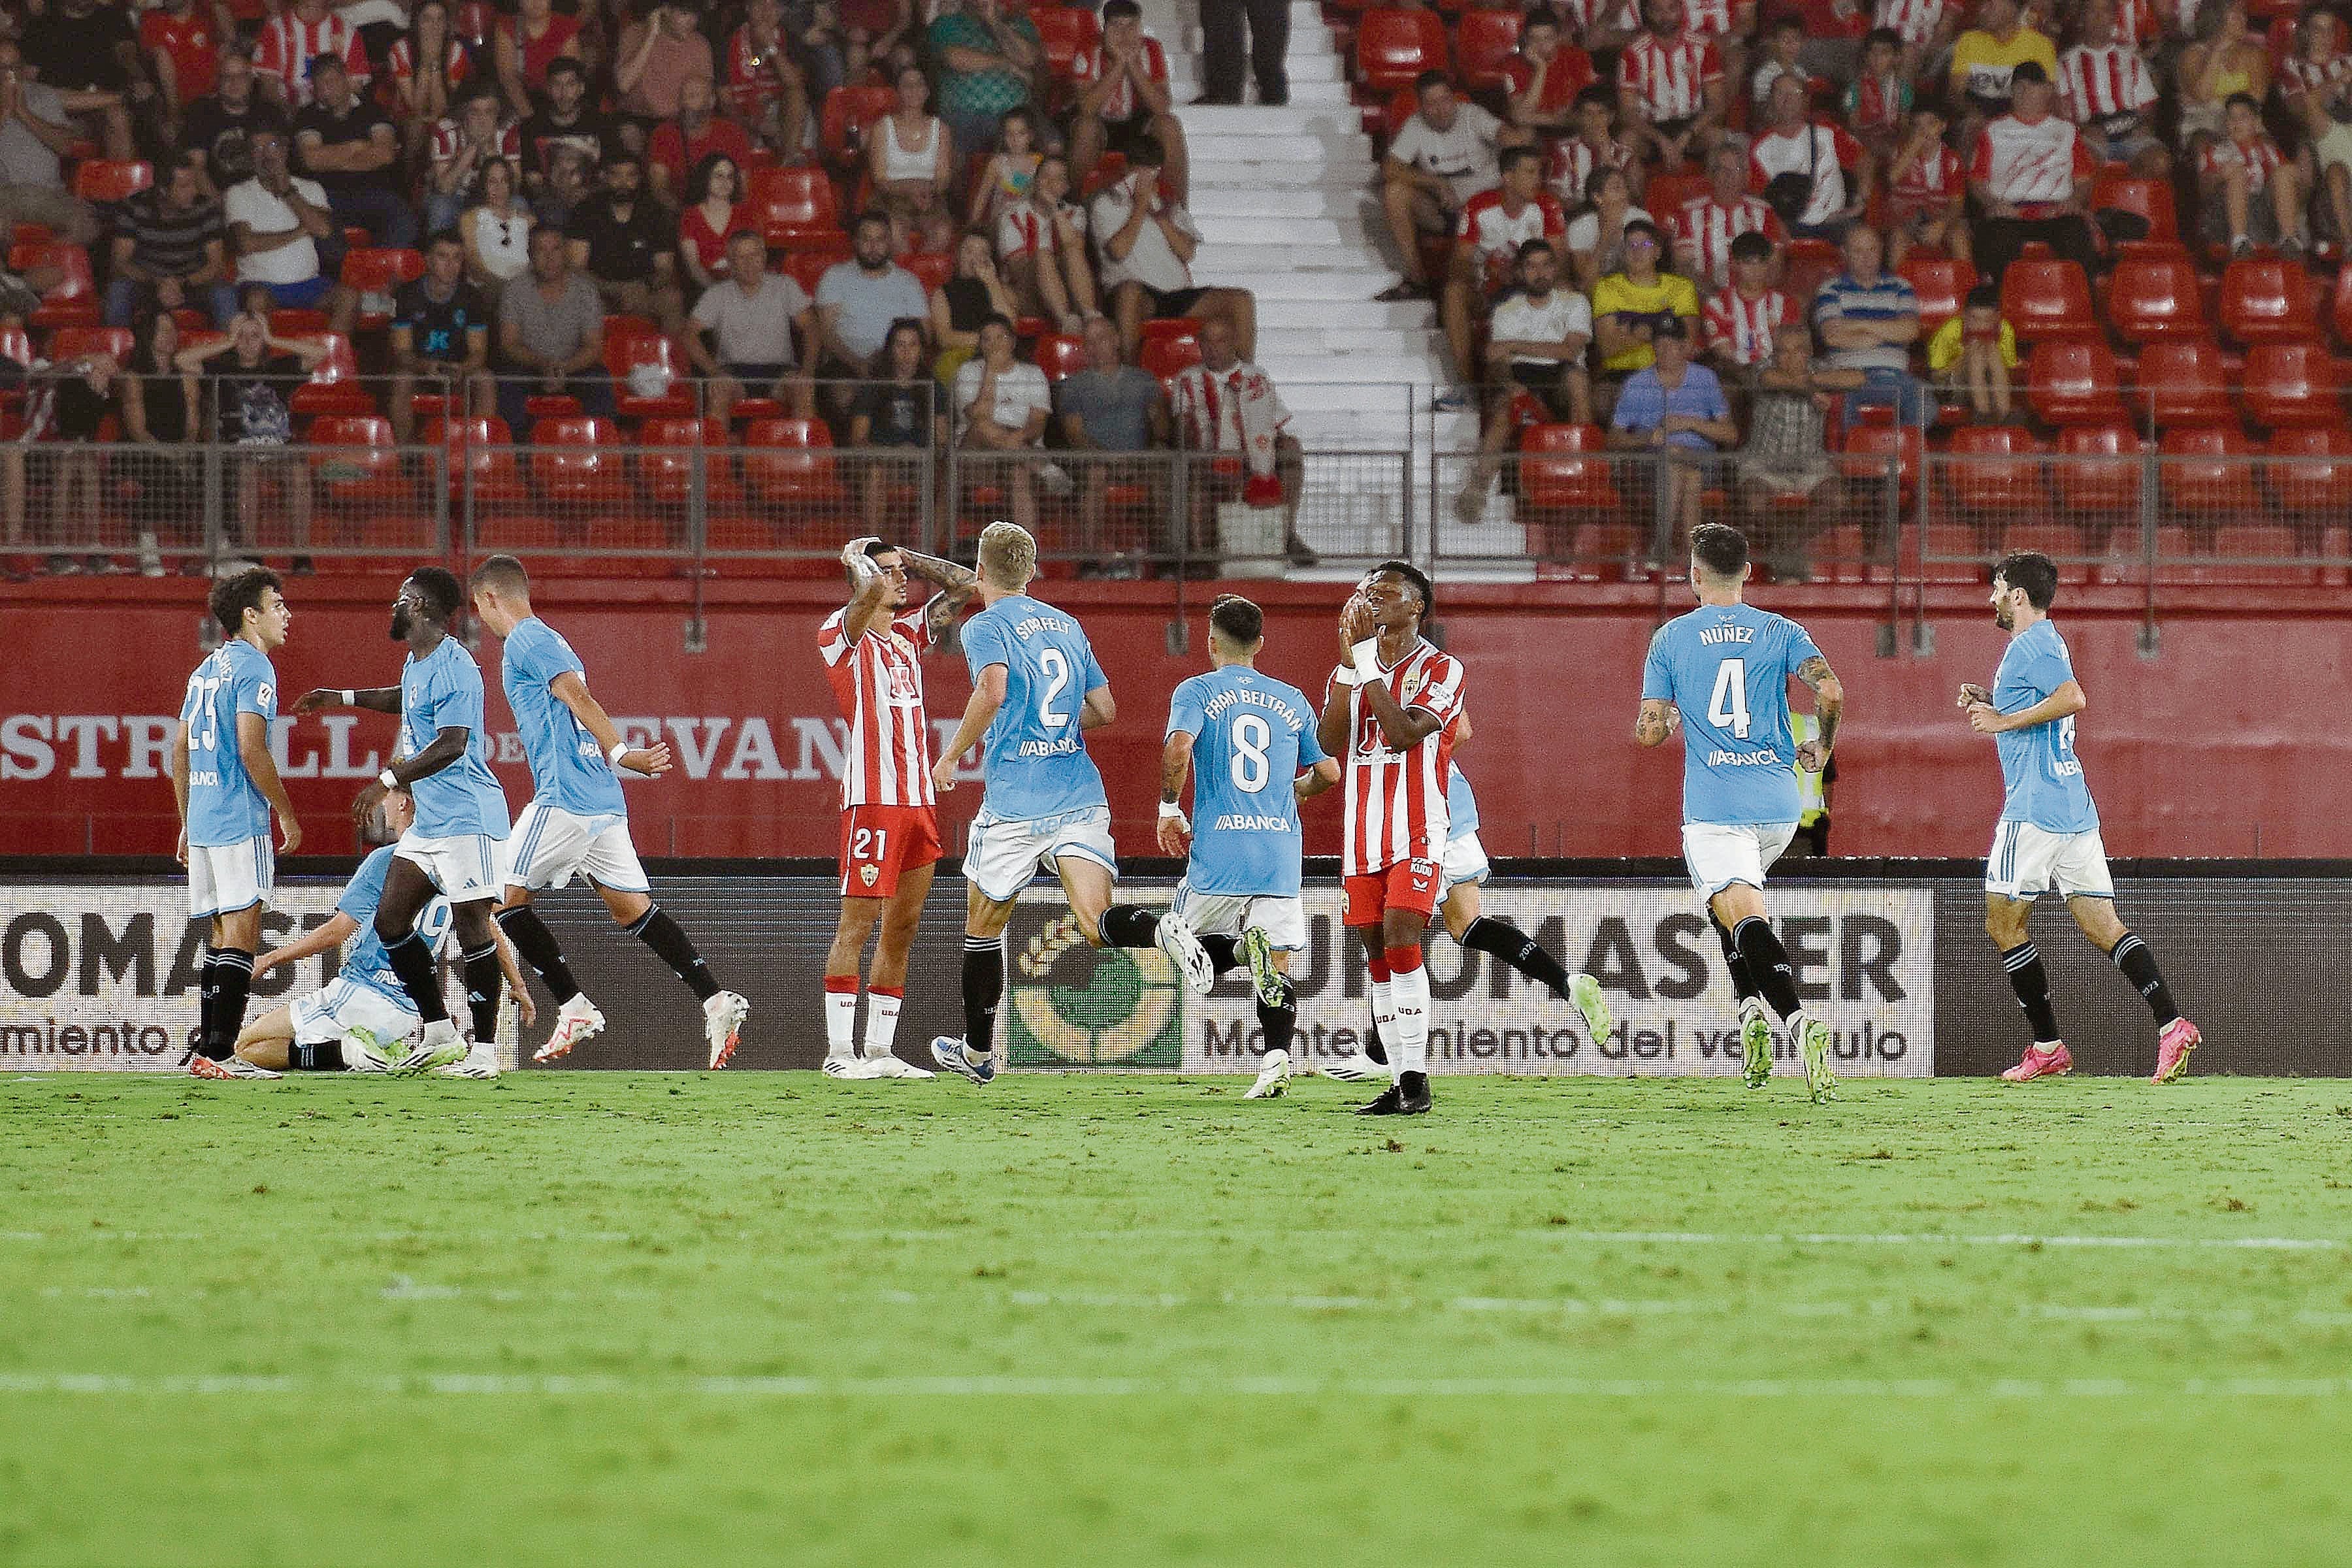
{"x": 2050, "y": 829}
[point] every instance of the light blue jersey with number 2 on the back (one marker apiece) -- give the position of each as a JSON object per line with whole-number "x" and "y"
{"x": 1034, "y": 763}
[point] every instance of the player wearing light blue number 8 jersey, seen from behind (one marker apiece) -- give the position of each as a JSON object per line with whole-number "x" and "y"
{"x": 1252, "y": 751}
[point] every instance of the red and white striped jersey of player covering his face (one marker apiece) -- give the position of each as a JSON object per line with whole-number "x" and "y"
{"x": 1398, "y": 800}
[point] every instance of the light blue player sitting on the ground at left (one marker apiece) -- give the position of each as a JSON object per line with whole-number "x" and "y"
{"x": 363, "y": 1017}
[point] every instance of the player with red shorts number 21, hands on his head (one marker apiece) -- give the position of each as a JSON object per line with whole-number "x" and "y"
{"x": 890, "y": 812}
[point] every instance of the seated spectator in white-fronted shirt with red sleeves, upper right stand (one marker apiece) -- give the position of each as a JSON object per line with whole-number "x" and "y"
{"x": 2031, "y": 177}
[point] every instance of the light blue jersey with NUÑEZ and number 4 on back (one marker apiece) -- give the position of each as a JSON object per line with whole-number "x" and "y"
{"x": 1728, "y": 669}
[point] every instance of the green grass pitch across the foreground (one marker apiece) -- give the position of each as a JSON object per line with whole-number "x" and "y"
{"x": 650, "y": 1318}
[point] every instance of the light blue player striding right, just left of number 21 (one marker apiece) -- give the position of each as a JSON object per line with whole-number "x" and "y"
{"x": 577, "y": 822}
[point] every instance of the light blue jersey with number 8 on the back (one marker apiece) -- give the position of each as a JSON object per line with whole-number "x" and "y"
{"x": 1250, "y": 739}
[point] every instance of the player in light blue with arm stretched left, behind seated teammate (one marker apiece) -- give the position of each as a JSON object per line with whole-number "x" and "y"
{"x": 457, "y": 843}
